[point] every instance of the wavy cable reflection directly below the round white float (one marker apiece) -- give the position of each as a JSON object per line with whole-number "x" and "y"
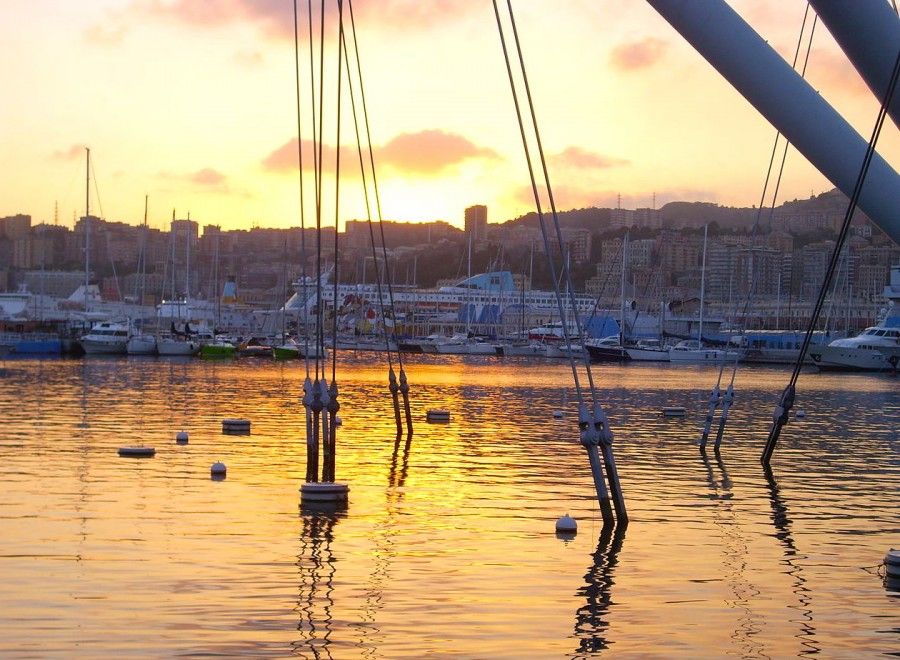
{"x": 315, "y": 601}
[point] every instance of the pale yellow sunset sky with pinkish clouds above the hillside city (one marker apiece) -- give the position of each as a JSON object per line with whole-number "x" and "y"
{"x": 193, "y": 103}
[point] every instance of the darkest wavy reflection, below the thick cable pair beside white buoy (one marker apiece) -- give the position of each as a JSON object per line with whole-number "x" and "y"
{"x": 591, "y": 618}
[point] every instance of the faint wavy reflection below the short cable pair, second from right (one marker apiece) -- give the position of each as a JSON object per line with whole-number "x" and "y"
{"x": 735, "y": 552}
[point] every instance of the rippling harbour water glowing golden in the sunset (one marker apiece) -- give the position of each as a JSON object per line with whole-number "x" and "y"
{"x": 447, "y": 545}
